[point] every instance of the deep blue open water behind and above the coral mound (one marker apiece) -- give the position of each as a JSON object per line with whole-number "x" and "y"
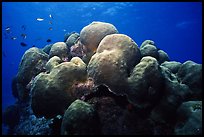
{"x": 176, "y": 28}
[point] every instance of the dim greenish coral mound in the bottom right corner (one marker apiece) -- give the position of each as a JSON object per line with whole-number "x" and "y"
{"x": 189, "y": 118}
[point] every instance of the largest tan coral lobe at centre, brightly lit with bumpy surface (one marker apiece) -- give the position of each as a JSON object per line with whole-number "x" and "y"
{"x": 116, "y": 55}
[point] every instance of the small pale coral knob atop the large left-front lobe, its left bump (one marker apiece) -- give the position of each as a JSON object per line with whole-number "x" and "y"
{"x": 52, "y": 62}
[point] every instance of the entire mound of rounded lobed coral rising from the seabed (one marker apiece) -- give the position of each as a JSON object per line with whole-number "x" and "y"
{"x": 99, "y": 82}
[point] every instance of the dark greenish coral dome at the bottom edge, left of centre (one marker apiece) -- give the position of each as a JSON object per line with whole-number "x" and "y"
{"x": 80, "y": 119}
